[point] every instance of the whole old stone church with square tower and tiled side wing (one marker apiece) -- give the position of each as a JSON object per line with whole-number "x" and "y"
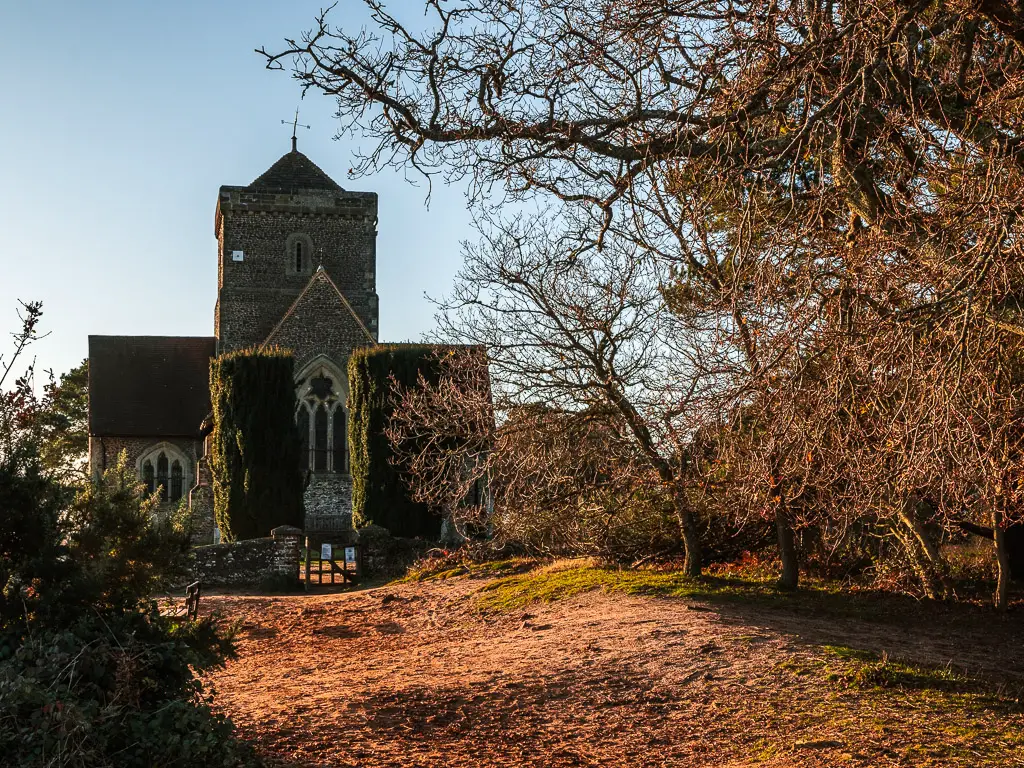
{"x": 296, "y": 269}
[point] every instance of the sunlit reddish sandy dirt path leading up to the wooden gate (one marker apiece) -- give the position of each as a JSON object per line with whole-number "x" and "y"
{"x": 410, "y": 675}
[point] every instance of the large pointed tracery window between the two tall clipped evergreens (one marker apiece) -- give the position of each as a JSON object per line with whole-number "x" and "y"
{"x": 321, "y": 420}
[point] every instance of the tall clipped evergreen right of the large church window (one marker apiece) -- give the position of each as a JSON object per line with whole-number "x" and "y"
{"x": 379, "y": 492}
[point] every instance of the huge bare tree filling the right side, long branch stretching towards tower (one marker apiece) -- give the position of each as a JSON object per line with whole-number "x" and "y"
{"x": 835, "y": 186}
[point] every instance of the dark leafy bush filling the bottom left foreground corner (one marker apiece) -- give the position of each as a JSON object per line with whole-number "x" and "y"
{"x": 91, "y": 673}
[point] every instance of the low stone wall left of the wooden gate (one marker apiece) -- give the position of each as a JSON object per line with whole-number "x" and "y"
{"x": 257, "y": 563}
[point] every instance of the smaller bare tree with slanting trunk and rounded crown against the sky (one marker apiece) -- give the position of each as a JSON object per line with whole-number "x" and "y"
{"x": 579, "y": 328}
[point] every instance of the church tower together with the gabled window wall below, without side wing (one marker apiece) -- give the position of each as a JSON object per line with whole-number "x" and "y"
{"x": 297, "y": 270}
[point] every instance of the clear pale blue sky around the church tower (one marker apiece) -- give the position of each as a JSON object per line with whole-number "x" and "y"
{"x": 122, "y": 119}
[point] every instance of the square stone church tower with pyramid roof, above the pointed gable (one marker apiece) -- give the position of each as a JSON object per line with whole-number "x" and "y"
{"x": 273, "y": 237}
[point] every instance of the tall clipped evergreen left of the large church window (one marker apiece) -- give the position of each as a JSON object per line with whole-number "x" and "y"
{"x": 258, "y": 484}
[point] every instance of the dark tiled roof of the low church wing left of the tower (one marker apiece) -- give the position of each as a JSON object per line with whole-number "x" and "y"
{"x": 146, "y": 387}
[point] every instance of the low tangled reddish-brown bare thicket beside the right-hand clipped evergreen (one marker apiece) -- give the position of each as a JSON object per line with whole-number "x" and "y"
{"x": 558, "y": 482}
